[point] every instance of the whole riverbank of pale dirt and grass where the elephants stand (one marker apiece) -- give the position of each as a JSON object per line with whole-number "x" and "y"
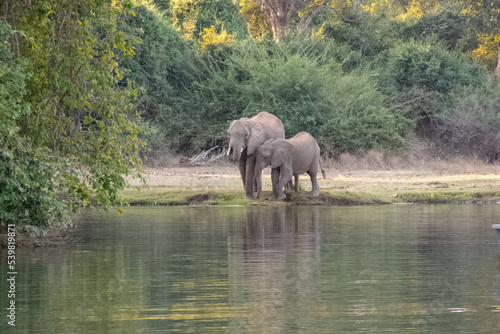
{"x": 438, "y": 182}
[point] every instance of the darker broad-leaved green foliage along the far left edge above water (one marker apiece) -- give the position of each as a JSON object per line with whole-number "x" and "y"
{"x": 28, "y": 191}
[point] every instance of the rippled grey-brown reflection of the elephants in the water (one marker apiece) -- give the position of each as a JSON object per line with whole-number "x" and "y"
{"x": 274, "y": 267}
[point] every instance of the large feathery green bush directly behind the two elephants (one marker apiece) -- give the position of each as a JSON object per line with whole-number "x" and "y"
{"x": 298, "y": 81}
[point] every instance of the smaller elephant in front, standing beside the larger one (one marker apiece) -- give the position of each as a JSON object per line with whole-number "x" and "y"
{"x": 289, "y": 157}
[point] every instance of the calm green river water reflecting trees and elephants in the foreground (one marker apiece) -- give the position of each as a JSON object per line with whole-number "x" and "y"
{"x": 402, "y": 269}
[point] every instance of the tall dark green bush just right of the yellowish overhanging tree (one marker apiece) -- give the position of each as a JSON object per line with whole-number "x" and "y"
{"x": 163, "y": 66}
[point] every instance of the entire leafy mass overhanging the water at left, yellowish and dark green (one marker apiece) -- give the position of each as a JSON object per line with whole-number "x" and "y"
{"x": 75, "y": 138}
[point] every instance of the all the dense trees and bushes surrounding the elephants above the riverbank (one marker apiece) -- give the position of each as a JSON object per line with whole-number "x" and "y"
{"x": 85, "y": 84}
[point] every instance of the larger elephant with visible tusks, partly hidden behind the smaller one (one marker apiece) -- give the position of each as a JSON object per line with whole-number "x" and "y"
{"x": 245, "y": 136}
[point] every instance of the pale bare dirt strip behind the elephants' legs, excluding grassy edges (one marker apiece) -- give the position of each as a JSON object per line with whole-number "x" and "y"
{"x": 229, "y": 178}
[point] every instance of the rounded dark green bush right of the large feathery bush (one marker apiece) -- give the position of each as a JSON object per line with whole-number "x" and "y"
{"x": 418, "y": 77}
